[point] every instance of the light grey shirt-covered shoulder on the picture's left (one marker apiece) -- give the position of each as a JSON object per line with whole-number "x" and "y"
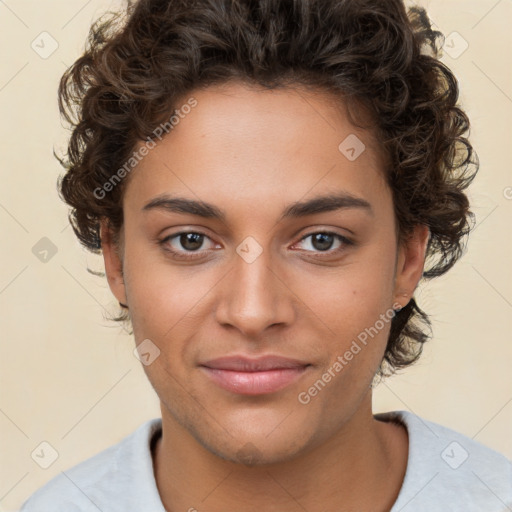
{"x": 103, "y": 479}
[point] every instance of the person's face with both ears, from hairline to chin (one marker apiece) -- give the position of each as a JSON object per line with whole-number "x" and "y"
{"x": 271, "y": 312}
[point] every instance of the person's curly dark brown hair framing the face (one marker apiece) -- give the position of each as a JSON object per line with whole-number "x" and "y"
{"x": 371, "y": 53}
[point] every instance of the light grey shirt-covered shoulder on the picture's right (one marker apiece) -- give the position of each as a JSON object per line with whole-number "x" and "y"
{"x": 447, "y": 470}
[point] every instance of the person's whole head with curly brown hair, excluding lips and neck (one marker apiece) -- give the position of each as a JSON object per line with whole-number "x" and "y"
{"x": 268, "y": 178}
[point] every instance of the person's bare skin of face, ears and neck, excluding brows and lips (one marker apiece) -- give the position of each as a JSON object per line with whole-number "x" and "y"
{"x": 252, "y": 153}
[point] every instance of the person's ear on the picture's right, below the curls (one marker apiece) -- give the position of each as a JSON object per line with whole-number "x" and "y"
{"x": 410, "y": 264}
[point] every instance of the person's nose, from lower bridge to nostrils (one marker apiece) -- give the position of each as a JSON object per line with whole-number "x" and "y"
{"x": 254, "y": 296}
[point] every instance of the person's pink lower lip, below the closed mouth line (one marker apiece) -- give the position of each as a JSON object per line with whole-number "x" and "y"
{"x": 254, "y": 383}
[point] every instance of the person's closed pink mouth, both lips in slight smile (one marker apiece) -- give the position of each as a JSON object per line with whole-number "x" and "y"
{"x": 246, "y": 376}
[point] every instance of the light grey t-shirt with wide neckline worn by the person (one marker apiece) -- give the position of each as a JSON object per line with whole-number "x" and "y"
{"x": 446, "y": 471}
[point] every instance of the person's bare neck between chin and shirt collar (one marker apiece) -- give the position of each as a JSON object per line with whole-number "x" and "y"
{"x": 361, "y": 468}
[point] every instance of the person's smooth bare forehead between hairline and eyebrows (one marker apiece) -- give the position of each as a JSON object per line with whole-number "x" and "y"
{"x": 260, "y": 147}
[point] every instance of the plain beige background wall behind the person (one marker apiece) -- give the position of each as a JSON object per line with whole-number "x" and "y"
{"x": 70, "y": 378}
